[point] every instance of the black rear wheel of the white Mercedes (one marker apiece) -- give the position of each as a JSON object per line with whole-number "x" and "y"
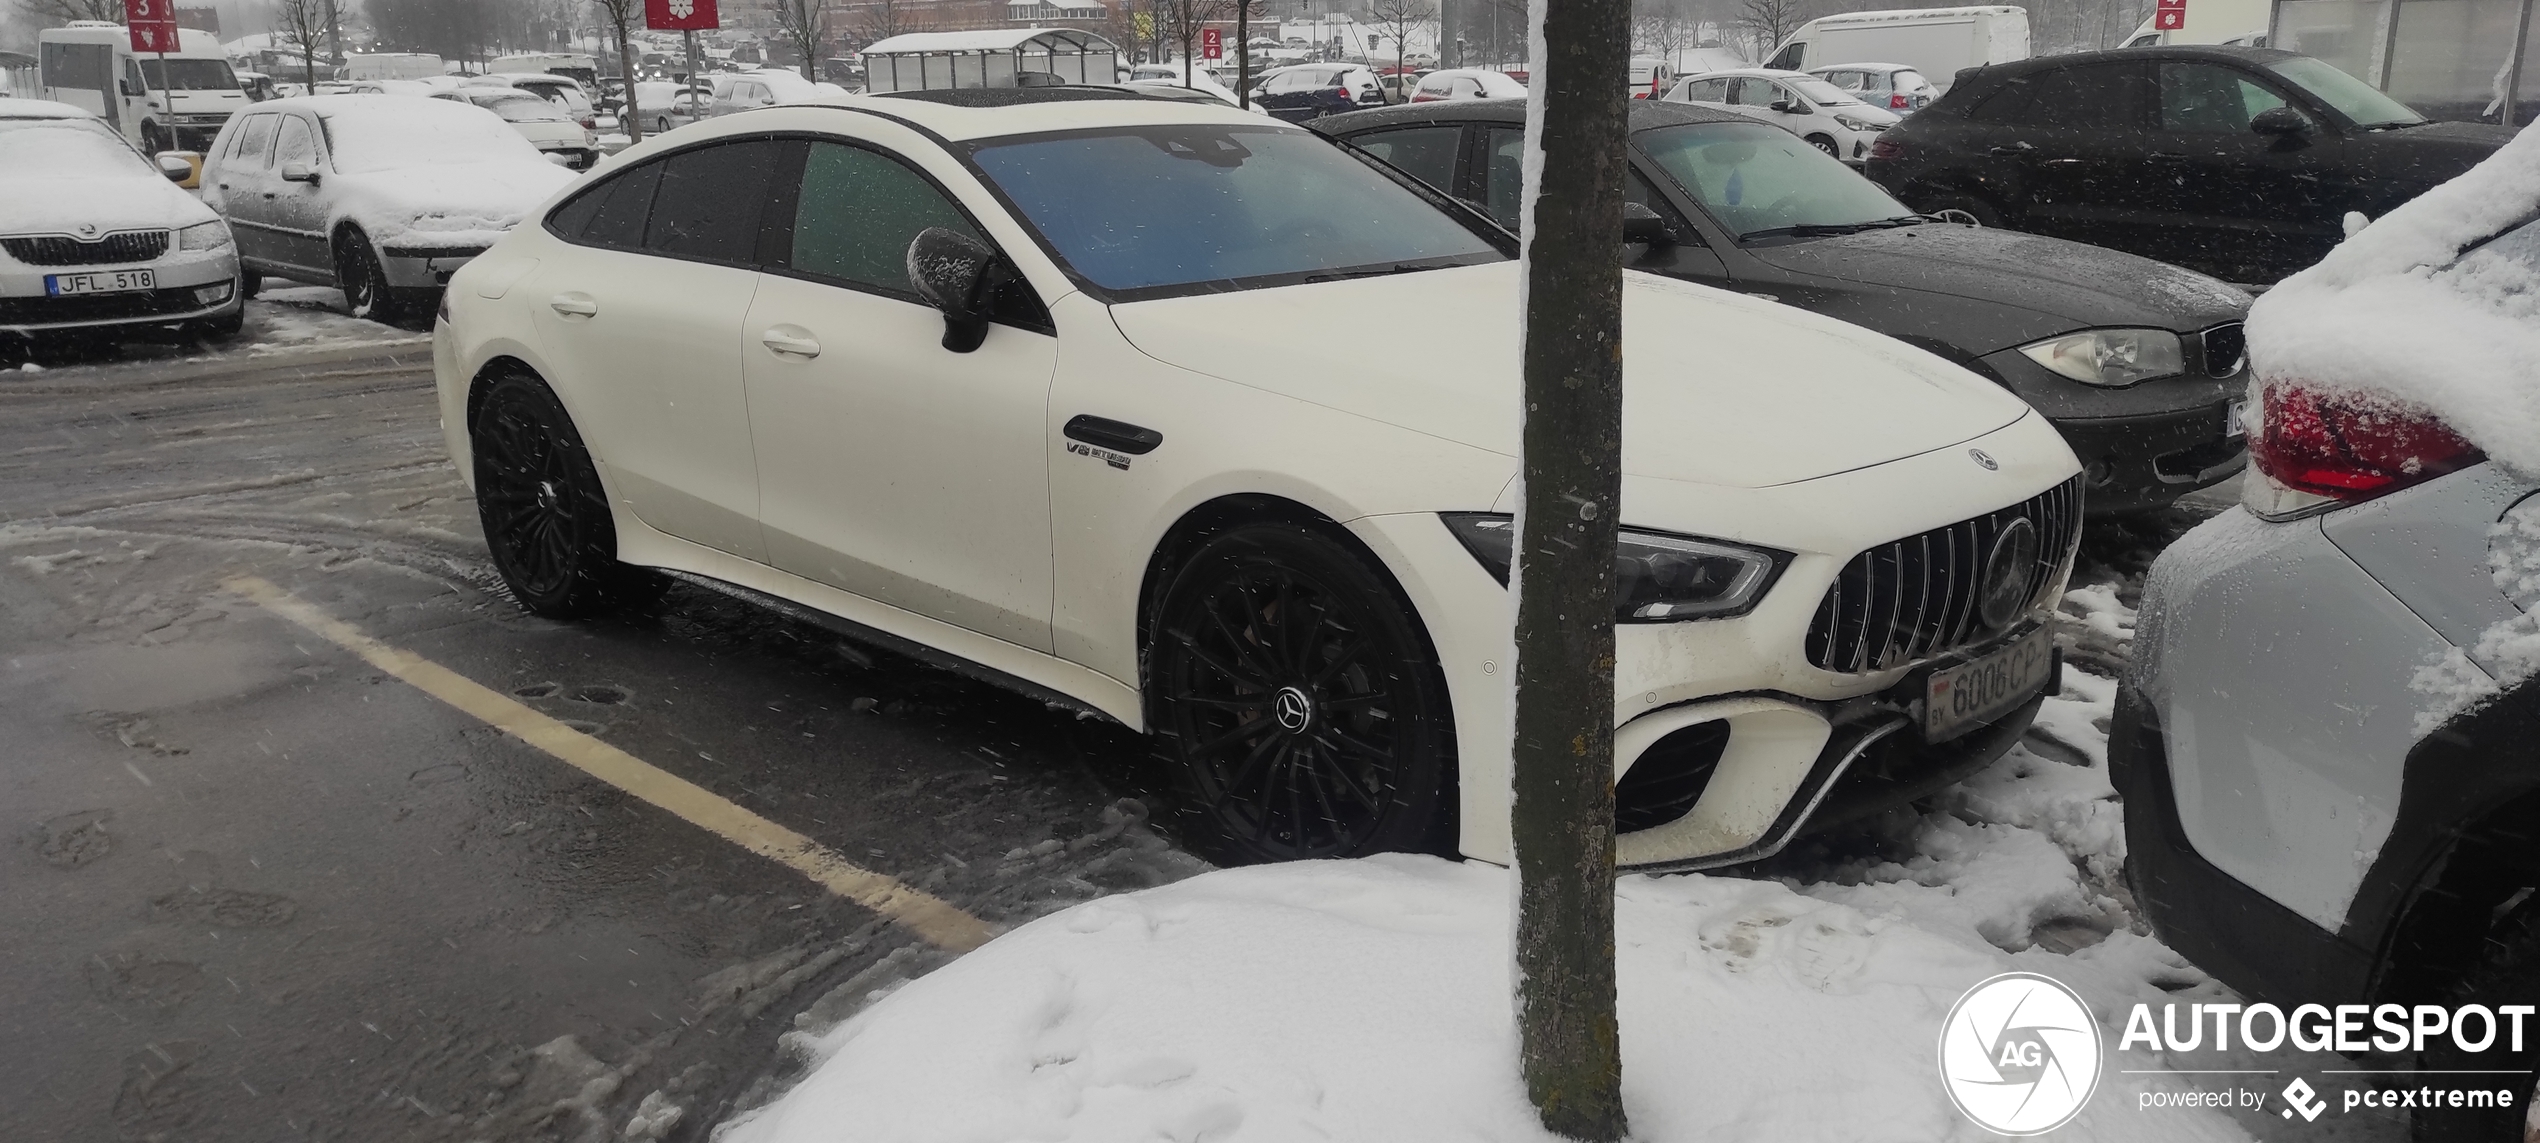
{"x": 545, "y": 514}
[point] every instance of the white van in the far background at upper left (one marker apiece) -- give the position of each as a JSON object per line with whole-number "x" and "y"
{"x": 182, "y": 105}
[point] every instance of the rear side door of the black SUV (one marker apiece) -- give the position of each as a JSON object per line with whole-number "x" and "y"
{"x": 2074, "y": 156}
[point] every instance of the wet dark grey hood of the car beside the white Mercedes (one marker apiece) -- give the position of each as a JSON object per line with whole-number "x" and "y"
{"x": 2031, "y": 286}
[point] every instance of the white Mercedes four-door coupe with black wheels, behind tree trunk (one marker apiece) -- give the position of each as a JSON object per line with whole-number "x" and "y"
{"x": 1088, "y": 410}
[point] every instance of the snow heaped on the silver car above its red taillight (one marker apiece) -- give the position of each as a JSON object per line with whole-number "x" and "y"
{"x": 2396, "y": 311}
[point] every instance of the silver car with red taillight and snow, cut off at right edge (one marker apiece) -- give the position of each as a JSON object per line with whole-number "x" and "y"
{"x": 2328, "y": 733}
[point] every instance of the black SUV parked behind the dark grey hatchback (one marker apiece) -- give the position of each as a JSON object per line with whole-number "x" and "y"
{"x": 2234, "y": 161}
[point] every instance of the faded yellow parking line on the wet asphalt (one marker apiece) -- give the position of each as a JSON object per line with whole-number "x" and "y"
{"x": 921, "y": 913}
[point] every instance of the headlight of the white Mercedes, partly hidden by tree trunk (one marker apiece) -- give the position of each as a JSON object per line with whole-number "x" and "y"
{"x": 1657, "y": 578}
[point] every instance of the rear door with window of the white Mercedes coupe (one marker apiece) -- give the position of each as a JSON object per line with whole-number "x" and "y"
{"x": 644, "y": 324}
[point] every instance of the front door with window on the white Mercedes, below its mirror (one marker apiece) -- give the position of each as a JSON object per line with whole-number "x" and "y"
{"x": 888, "y": 464}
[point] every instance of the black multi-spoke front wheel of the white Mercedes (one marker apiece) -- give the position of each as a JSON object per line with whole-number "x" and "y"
{"x": 1299, "y": 705}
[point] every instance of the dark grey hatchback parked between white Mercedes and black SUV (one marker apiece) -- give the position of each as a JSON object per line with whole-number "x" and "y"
{"x": 2140, "y": 364}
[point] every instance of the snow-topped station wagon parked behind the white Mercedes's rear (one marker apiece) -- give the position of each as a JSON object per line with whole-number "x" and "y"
{"x": 382, "y": 197}
